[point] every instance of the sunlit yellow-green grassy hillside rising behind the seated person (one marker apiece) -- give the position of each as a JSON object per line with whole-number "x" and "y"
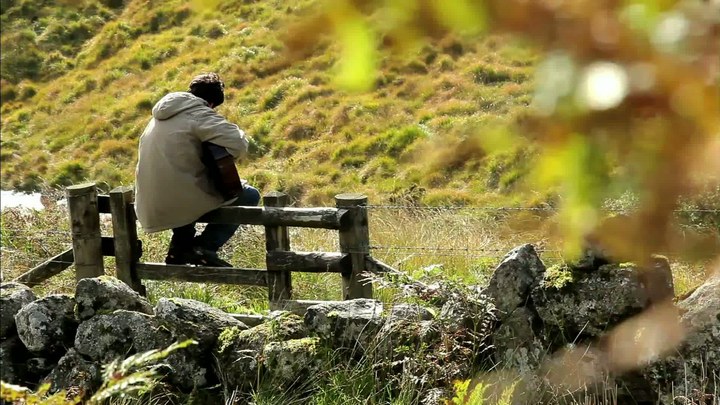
{"x": 79, "y": 80}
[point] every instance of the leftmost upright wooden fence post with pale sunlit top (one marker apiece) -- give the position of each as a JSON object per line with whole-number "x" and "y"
{"x": 85, "y": 224}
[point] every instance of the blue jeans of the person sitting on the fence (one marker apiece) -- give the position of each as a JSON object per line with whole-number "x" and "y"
{"x": 215, "y": 235}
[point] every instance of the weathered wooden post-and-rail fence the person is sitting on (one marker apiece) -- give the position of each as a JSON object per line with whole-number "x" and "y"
{"x": 348, "y": 217}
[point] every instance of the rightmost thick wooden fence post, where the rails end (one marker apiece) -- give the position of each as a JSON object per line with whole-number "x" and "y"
{"x": 355, "y": 240}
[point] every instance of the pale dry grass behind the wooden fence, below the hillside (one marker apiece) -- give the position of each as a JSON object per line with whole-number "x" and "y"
{"x": 463, "y": 245}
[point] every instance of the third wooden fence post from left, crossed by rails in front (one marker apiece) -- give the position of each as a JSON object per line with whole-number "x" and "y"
{"x": 277, "y": 239}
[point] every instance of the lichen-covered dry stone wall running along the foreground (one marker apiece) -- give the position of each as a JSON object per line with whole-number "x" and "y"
{"x": 530, "y": 320}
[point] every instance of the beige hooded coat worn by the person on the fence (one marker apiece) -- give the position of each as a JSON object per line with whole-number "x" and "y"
{"x": 172, "y": 188}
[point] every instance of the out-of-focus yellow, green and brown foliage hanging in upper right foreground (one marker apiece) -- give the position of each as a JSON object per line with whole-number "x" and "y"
{"x": 626, "y": 98}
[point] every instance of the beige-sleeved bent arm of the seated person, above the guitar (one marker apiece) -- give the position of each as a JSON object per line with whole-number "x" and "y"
{"x": 213, "y": 127}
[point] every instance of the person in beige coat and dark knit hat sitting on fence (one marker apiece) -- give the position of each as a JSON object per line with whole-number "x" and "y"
{"x": 172, "y": 186}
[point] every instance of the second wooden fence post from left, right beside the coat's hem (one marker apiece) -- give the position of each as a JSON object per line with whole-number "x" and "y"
{"x": 127, "y": 252}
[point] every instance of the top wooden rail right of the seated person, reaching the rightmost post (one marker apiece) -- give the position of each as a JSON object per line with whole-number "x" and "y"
{"x": 326, "y": 218}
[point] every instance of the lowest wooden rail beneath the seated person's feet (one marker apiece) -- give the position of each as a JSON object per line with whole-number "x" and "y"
{"x": 220, "y": 275}
